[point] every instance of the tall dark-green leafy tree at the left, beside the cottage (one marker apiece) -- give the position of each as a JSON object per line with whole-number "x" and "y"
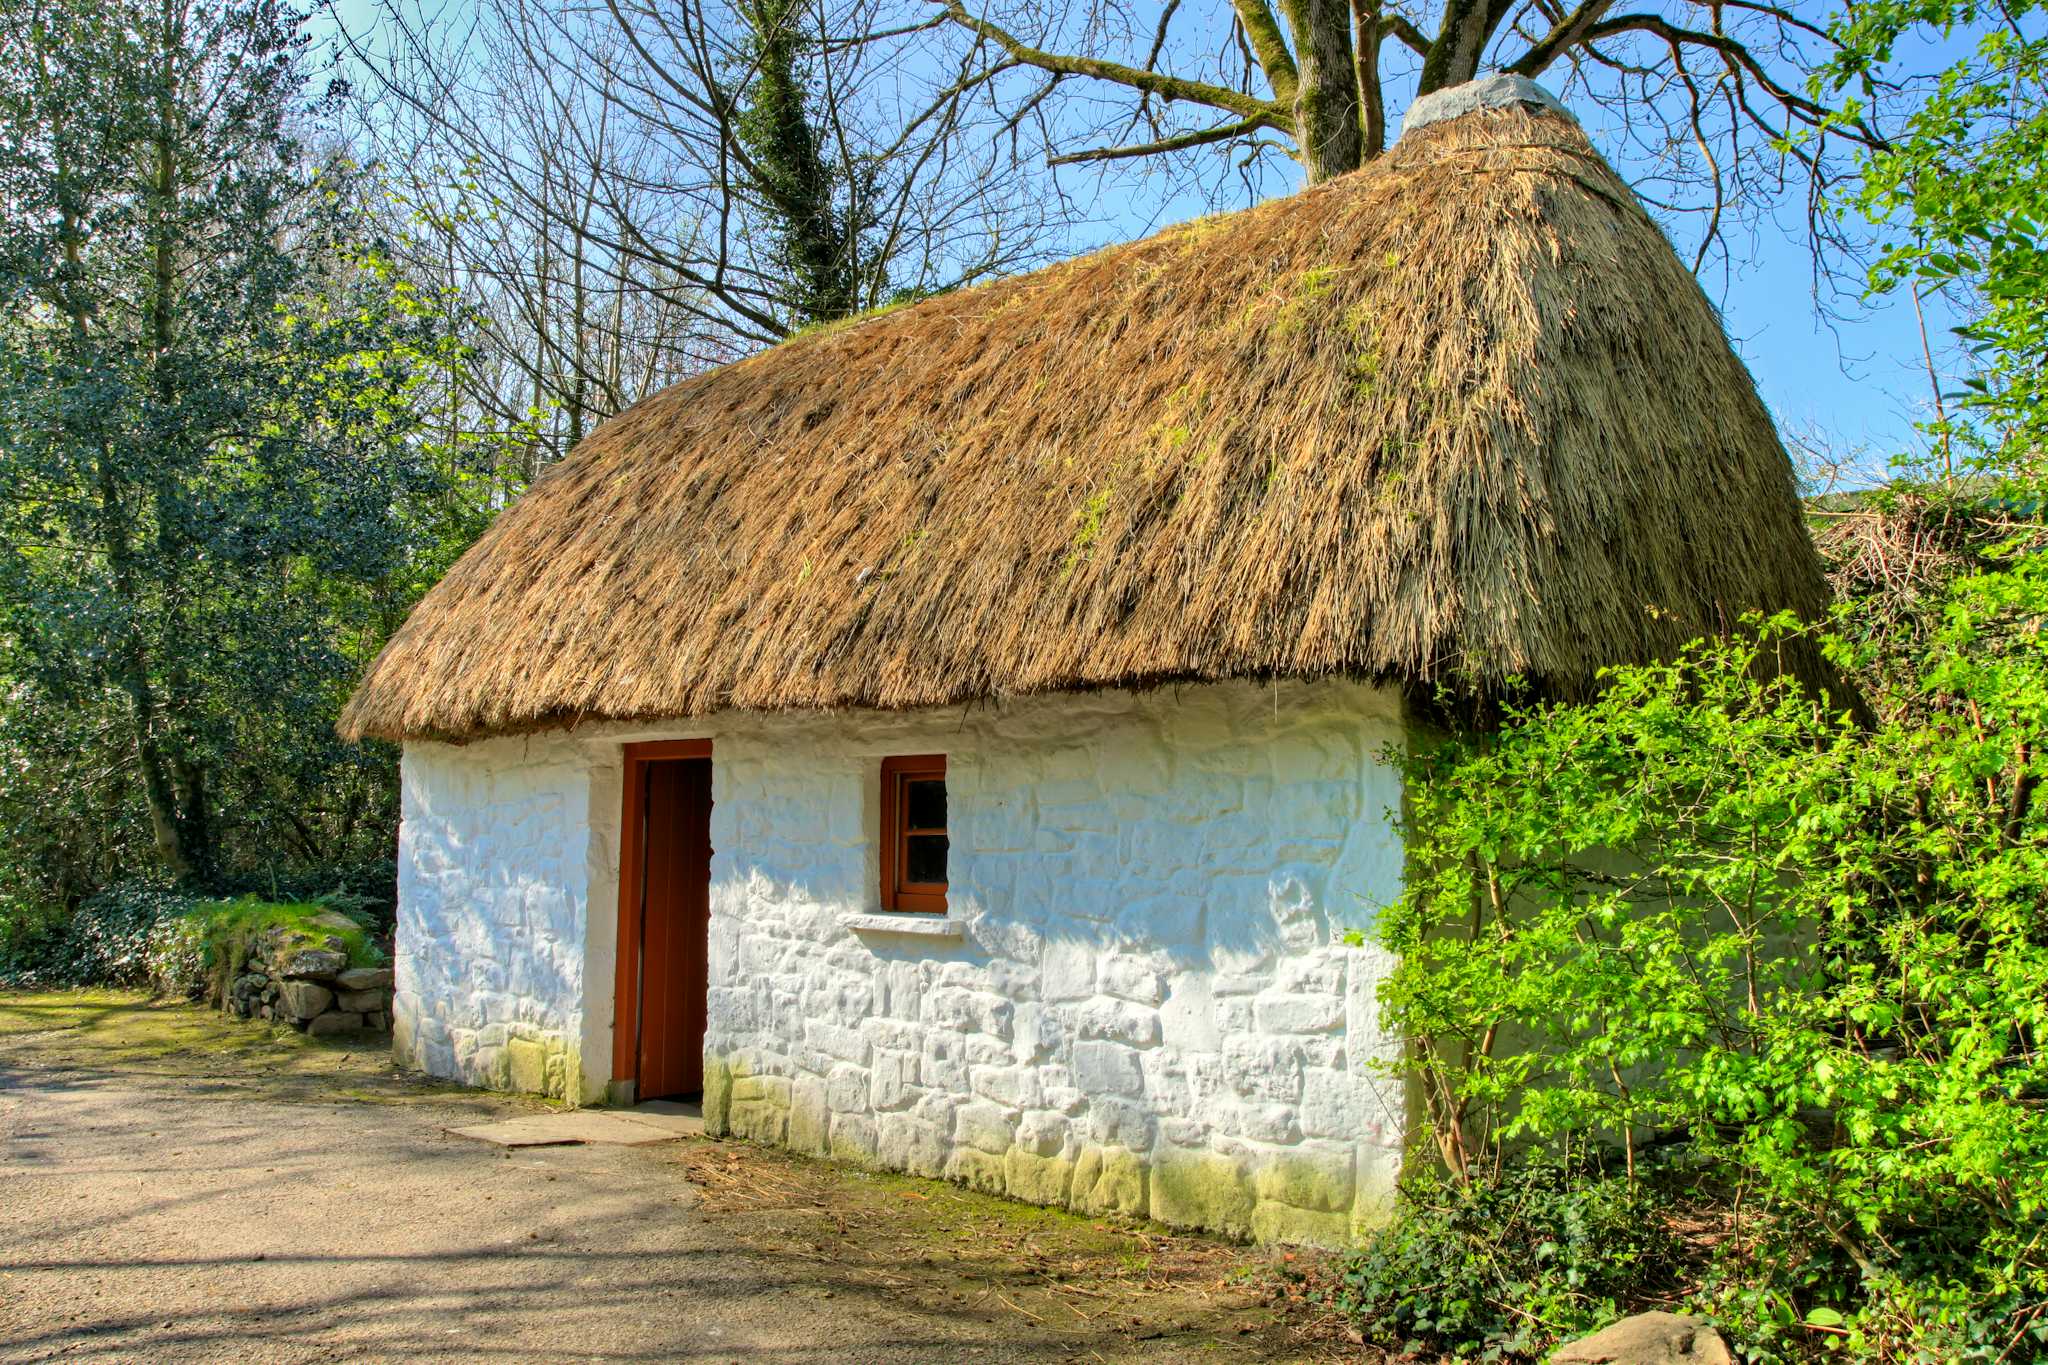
{"x": 206, "y": 410}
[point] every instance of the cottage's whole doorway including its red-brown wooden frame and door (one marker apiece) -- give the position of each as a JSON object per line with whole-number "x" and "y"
{"x": 665, "y": 920}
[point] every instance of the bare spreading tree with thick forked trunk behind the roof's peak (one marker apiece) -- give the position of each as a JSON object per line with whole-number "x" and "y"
{"x": 1713, "y": 93}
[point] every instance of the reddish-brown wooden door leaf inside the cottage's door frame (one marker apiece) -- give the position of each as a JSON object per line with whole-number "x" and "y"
{"x": 675, "y": 928}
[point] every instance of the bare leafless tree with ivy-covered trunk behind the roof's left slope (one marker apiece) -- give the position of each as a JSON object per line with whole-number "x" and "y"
{"x": 628, "y": 193}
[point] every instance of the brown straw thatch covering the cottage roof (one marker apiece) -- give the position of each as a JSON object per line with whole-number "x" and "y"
{"x": 1457, "y": 416}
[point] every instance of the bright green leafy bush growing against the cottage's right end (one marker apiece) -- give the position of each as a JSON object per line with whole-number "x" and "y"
{"x": 1715, "y": 912}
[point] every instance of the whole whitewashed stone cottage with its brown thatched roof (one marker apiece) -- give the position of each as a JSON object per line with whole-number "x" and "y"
{"x": 957, "y": 740}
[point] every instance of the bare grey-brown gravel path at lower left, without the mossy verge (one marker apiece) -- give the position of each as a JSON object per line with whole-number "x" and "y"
{"x": 165, "y": 1219}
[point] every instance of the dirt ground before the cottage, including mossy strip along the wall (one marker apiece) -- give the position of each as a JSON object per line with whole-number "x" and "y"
{"x": 169, "y": 1202}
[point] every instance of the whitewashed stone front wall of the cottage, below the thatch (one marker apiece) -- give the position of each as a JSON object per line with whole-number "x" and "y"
{"x": 1150, "y": 1006}
